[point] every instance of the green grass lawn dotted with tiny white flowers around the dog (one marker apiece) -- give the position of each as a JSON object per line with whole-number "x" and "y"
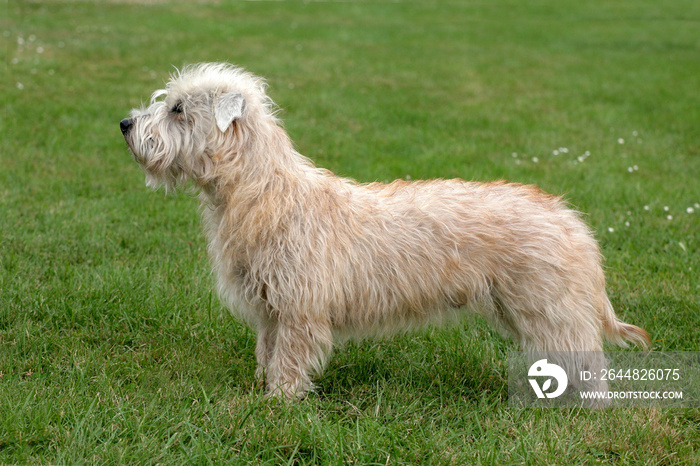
{"x": 113, "y": 348}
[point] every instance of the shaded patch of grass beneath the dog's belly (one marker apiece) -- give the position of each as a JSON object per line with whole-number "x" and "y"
{"x": 444, "y": 364}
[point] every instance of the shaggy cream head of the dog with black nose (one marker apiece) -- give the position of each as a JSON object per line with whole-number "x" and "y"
{"x": 190, "y": 124}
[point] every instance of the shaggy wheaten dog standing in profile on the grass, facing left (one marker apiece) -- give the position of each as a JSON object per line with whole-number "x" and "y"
{"x": 309, "y": 259}
